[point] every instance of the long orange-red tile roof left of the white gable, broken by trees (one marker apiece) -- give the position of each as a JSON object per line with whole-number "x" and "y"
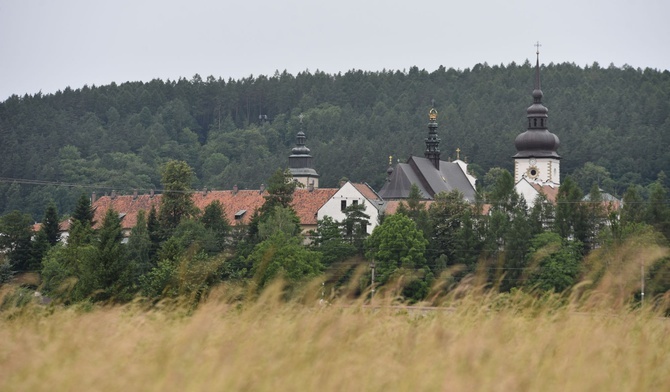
{"x": 306, "y": 203}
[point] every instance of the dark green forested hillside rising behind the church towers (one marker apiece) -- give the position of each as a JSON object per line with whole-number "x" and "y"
{"x": 614, "y": 126}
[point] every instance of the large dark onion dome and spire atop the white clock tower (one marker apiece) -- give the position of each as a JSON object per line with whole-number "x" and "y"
{"x": 537, "y": 141}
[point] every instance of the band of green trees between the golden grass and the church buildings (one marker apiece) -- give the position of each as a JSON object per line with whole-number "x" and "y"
{"x": 178, "y": 251}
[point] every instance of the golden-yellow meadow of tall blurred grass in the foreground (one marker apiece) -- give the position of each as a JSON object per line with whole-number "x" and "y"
{"x": 481, "y": 343}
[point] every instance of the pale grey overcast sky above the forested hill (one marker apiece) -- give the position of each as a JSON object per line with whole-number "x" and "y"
{"x": 47, "y": 45}
